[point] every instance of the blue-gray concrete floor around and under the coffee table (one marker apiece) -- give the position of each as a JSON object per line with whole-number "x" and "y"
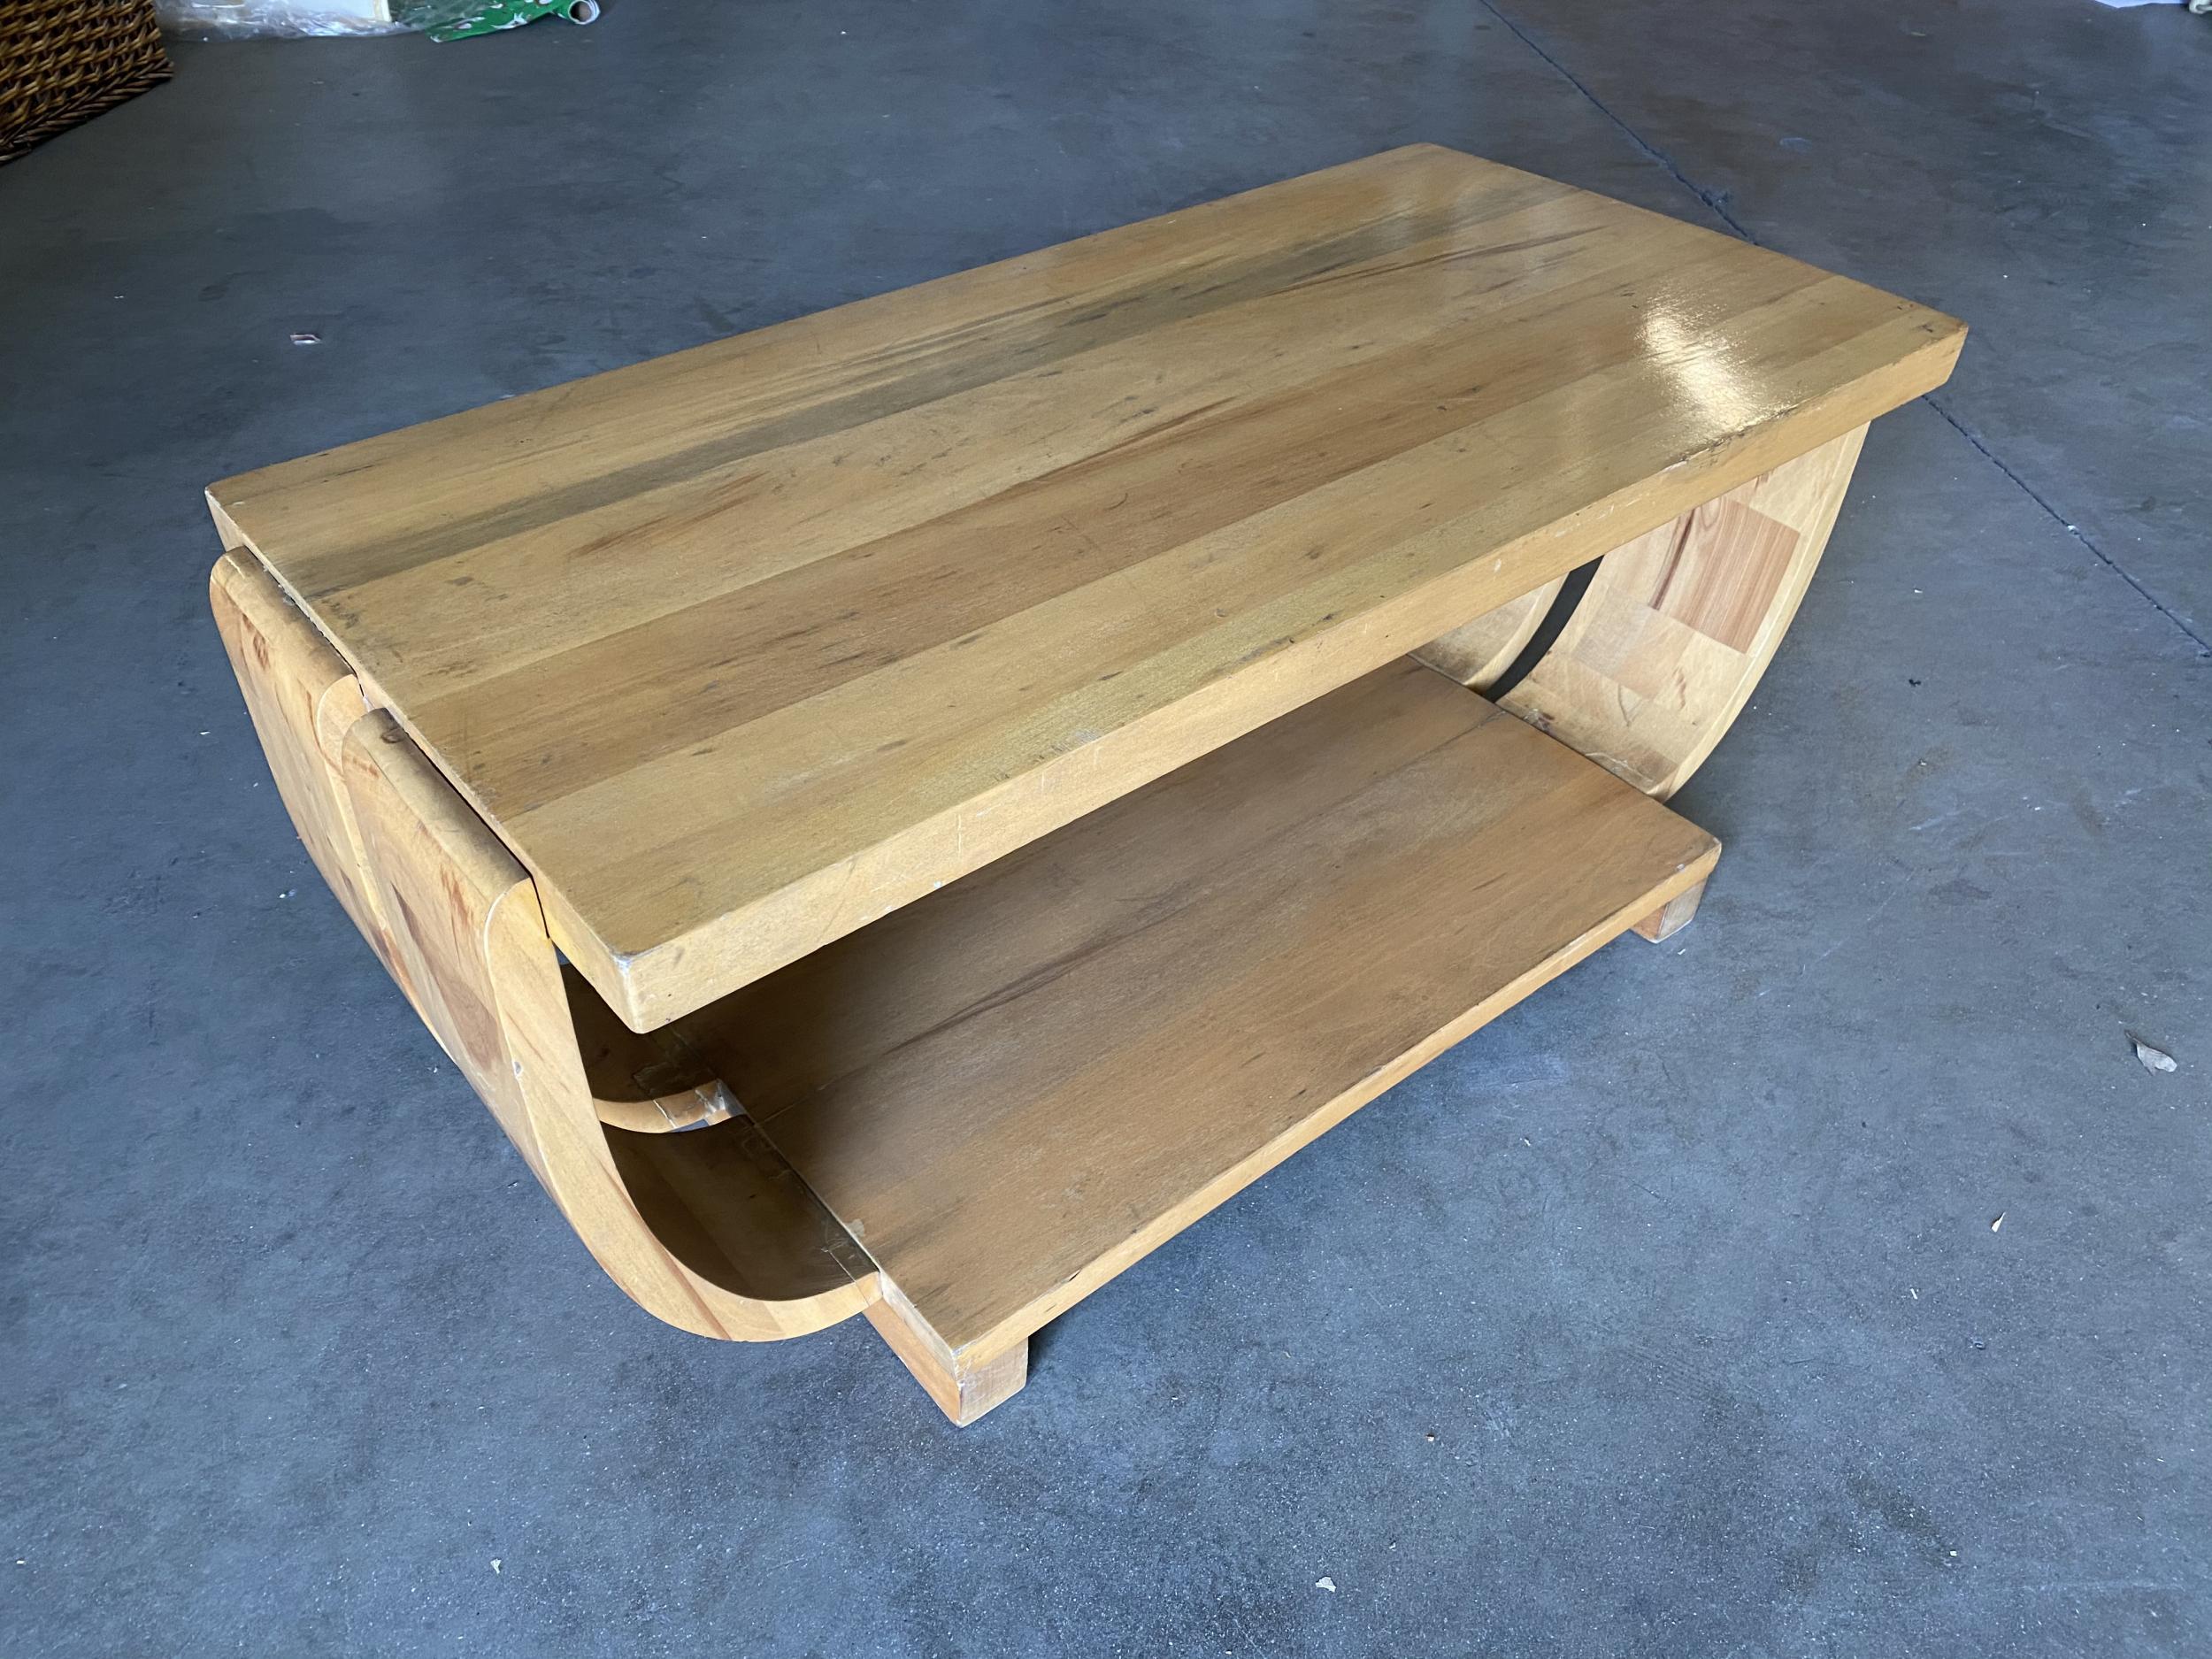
{"x": 1662, "y": 1317}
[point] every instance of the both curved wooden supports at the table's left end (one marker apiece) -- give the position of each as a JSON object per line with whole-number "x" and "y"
{"x": 707, "y": 1231}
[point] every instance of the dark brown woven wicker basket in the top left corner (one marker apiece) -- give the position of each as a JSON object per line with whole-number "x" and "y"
{"x": 65, "y": 61}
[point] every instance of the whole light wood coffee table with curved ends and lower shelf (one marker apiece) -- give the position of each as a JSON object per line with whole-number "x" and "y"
{"x": 906, "y": 811}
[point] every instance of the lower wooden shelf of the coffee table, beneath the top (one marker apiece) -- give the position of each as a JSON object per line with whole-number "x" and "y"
{"x": 1021, "y": 1085}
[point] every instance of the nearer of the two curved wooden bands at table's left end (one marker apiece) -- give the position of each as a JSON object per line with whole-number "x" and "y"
{"x": 705, "y": 1231}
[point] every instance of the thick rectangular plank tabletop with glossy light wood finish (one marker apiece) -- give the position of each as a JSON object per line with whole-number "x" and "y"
{"x": 747, "y": 647}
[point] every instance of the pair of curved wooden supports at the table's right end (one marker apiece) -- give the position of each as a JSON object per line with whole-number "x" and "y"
{"x": 1673, "y": 632}
